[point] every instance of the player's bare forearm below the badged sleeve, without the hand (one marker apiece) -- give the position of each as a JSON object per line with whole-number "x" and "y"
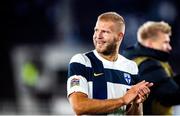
{"x": 93, "y": 106}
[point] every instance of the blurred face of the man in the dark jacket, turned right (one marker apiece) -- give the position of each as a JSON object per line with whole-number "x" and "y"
{"x": 162, "y": 42}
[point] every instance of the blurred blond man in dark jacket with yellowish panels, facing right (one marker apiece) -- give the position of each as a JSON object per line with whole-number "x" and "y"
{"x": 151, "y": 54}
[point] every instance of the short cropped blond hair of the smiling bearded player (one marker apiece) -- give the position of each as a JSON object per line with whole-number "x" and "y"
{"x": 114, "y": 17}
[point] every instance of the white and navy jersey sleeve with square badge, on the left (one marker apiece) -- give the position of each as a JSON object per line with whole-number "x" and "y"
{"x": 77, "y": 81}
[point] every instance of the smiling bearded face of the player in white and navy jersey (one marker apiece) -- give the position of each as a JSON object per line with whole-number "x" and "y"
{"x": 106, "y": 38}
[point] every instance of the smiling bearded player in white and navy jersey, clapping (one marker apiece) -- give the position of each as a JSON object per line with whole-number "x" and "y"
{"x": 100, "y": 81}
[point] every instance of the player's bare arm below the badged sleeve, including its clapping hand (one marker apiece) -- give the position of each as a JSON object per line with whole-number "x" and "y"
{"x": 84, "y": 105}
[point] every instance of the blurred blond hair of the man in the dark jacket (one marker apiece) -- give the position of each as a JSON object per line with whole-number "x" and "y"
{"x": 150, "y": 29}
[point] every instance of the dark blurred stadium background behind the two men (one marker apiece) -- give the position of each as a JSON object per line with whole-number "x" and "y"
{"x": 40, "y": 36}
